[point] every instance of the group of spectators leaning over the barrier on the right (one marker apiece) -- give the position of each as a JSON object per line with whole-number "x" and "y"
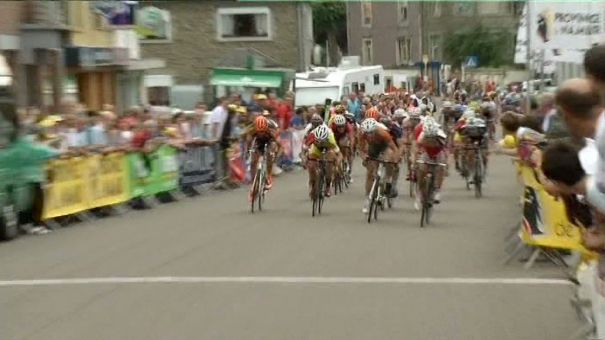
{"x": 563, "y": 140}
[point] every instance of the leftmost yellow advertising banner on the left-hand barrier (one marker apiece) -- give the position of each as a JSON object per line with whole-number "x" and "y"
{"x": 66, "y": 191}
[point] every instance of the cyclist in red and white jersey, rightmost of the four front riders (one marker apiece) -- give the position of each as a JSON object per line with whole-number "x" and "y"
{"x": 431, "y": 147}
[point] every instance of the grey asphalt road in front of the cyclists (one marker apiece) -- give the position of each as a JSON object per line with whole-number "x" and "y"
{"x": 205, "y": 268}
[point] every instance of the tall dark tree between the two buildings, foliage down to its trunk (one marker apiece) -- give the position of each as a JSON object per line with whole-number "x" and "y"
{"x": 330, "y": 24}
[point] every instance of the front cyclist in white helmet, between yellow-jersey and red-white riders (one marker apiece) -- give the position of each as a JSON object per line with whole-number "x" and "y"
{"x": 375, "y": 141}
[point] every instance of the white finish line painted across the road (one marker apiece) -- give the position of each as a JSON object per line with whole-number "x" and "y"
{"x": 286, "y": 280}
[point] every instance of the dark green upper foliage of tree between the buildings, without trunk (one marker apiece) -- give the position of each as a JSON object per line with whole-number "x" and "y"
{"x": 329, "y": 17}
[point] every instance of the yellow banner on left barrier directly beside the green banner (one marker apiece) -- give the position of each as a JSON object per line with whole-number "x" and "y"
{"x": 107, "y": 180}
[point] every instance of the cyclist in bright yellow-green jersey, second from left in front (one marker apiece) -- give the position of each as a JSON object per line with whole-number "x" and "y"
{"x": 322, "y": 139}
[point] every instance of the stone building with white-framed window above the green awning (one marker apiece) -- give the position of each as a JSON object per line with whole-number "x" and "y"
{"x": 197, "y": 36}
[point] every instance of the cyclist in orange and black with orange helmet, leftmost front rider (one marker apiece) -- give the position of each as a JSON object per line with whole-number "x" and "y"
{"x": 263, "y": 137}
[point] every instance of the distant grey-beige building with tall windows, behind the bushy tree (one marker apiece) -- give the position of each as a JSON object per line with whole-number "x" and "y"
{"x": 400, "y": 33}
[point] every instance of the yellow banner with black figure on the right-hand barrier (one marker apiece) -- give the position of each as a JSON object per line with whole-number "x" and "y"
{"x": 545, "y": 221}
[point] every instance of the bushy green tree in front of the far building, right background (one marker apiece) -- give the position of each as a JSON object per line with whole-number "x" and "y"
{"x": 494, "y": 48}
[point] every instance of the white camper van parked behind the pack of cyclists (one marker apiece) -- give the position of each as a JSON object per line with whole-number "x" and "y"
{"x": 314, "y": 87}
